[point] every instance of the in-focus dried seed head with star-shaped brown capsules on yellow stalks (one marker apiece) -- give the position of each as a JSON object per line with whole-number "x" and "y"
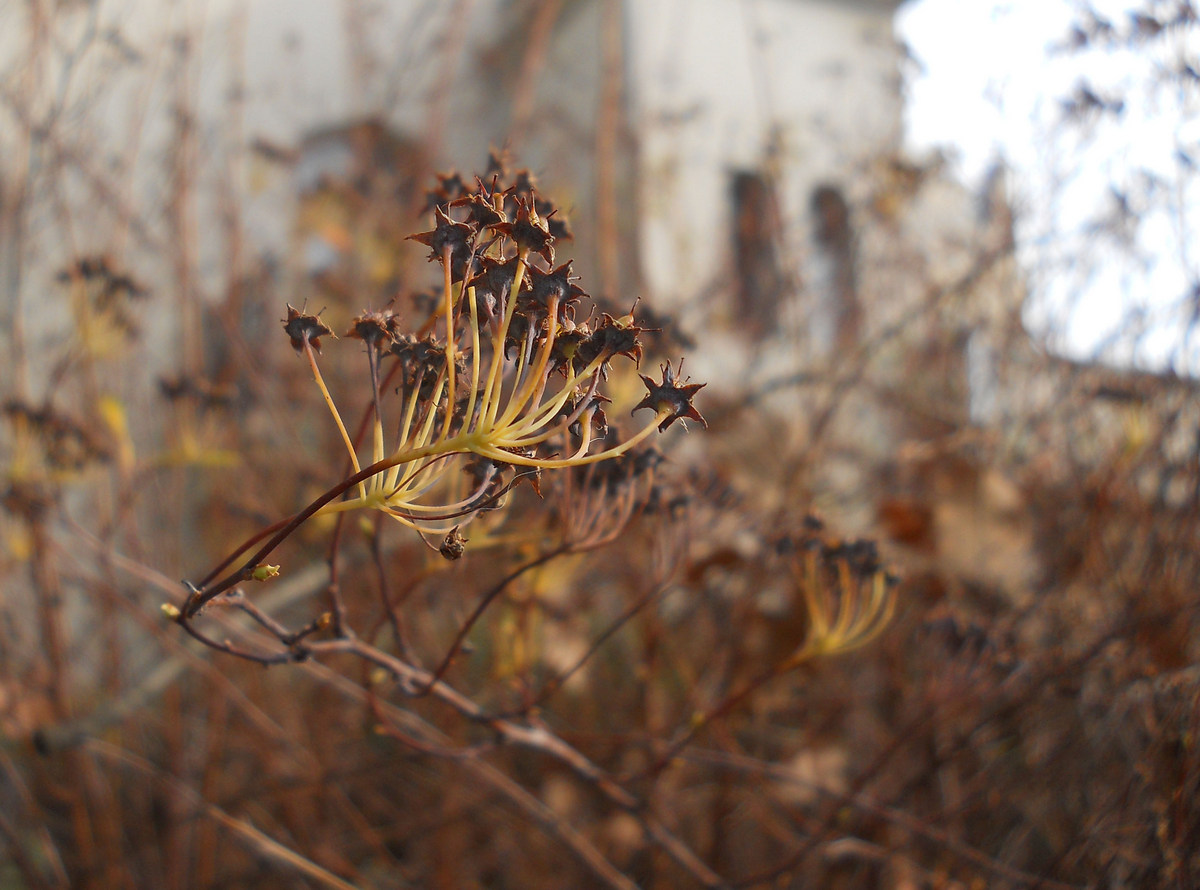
{"x": 502, "y": 383}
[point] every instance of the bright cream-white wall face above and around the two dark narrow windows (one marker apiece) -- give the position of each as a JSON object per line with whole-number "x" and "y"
{"x": 719, "y": 83}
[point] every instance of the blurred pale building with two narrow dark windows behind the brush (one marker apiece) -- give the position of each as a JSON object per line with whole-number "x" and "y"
{"x": 740, "y": 165}
